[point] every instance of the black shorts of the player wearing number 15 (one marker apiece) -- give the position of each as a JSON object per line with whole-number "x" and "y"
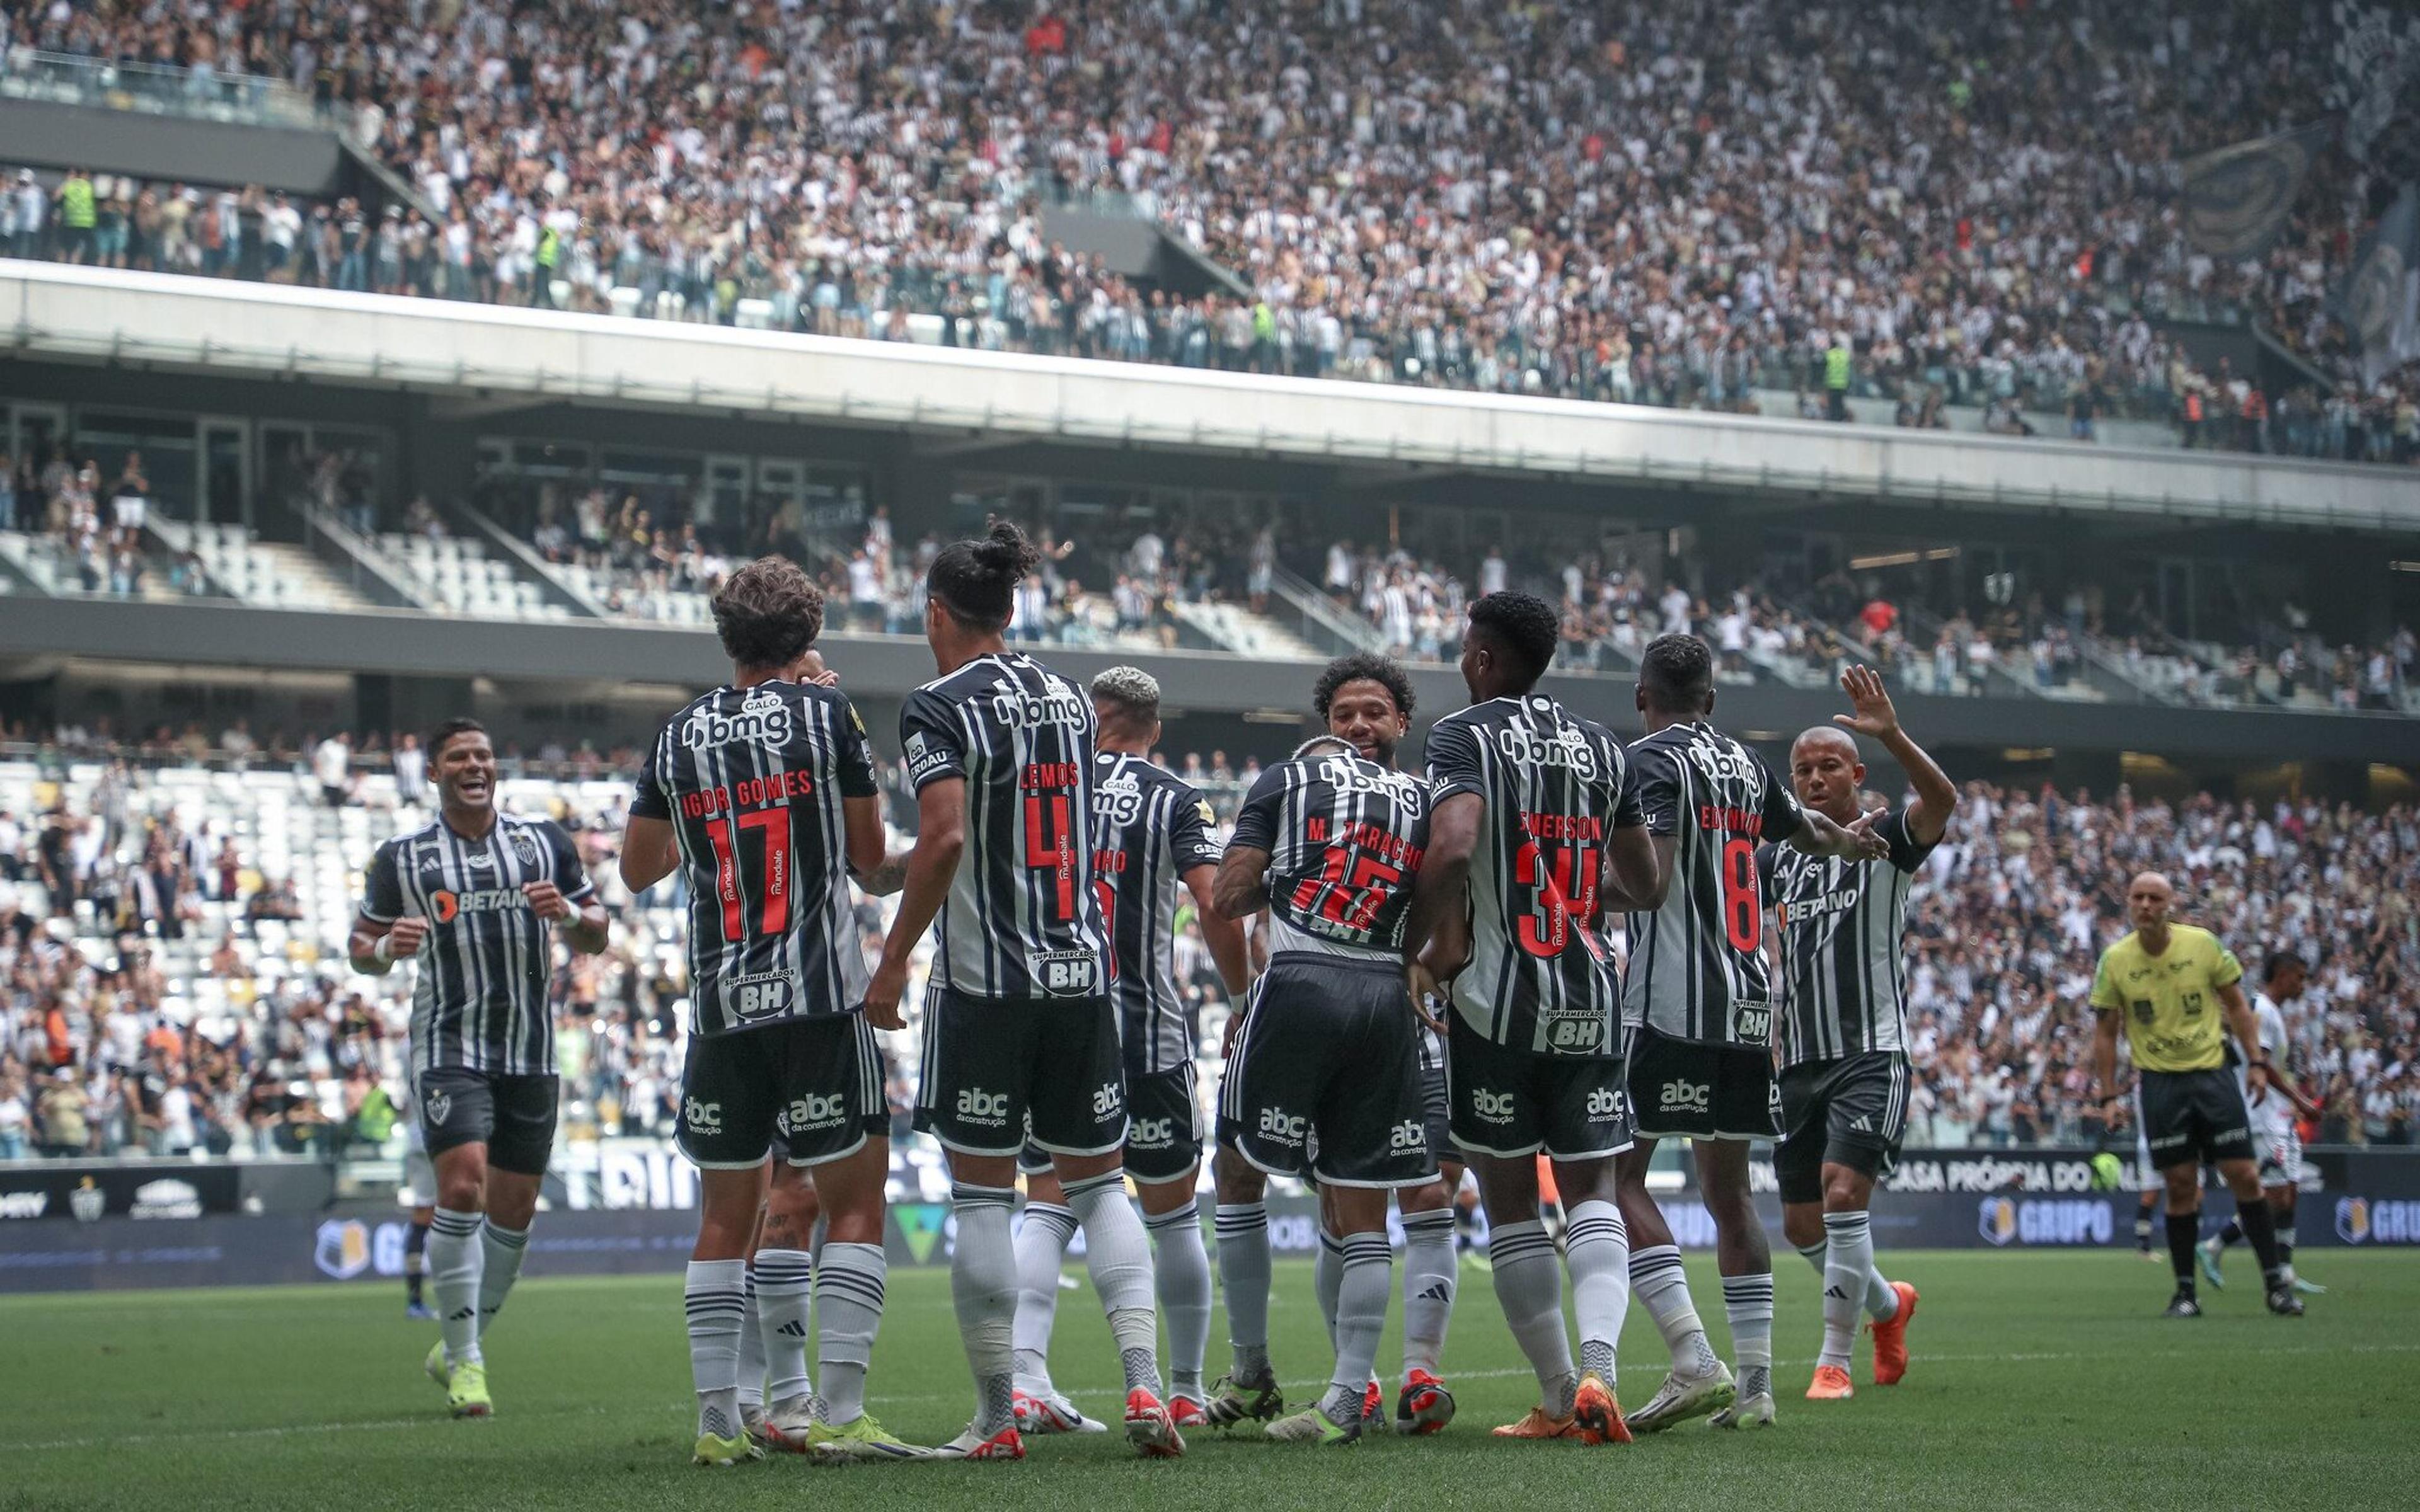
{"x": 1325, "y": 1080}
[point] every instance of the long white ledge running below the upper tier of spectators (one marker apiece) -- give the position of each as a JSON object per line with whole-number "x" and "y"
{"x": 1003, "y": 408}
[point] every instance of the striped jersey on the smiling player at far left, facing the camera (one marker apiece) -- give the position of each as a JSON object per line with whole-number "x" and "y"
{"x": 480, "y": 981}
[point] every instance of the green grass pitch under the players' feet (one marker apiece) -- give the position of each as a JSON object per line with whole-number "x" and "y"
{"x": 2041, "y": 1380}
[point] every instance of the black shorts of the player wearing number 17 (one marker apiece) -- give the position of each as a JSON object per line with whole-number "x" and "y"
{"x": 812, "y": 1083}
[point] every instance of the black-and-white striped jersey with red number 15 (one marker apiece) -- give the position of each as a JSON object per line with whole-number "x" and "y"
{"x": 1344, "y": 846}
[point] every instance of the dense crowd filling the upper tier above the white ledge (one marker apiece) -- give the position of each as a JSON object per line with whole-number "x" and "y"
{"x": 1669, "y": 204}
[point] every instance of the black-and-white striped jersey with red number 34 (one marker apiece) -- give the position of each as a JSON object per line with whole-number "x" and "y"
{"x": 1552, "y": 787}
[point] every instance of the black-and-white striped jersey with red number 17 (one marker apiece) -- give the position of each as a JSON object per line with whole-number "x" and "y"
{"x": 754, "y": 785}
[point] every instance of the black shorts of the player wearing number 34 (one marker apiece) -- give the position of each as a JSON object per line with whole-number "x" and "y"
{"x": 1519, "y": 1102}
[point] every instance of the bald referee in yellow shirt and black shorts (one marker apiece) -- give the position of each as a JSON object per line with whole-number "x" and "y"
{"x": 2165, "y": 986}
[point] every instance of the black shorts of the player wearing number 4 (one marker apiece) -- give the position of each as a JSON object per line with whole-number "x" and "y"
{"x": 1001, "y": 1070}
